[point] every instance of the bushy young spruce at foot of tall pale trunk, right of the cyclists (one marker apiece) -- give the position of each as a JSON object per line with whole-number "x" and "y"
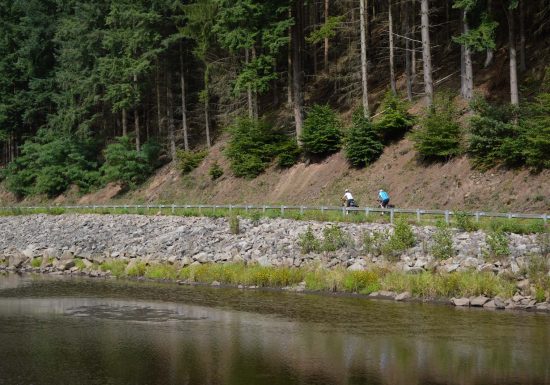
{"x": 439, "y": 135}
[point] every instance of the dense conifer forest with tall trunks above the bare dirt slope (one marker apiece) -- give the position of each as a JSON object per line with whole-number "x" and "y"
{"x": 109, "y": 90}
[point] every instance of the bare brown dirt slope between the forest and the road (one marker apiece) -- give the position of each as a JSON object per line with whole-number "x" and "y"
{"x": 450, "y": 185}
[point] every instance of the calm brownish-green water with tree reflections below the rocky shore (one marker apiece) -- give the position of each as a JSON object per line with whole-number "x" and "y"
{"x": 120, "y": 333}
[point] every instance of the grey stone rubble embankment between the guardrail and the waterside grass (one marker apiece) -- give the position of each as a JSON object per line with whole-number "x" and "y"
{"x": 78, "y": 244}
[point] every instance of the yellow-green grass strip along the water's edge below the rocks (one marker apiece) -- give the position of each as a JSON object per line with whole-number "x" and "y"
{"x": 427, "y": 285}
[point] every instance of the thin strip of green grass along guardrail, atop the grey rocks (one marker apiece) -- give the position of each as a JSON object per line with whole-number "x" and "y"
{"x": 460, "y": 220}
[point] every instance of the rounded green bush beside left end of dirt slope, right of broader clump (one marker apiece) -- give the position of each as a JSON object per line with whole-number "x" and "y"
{"x": 126, "y": 165}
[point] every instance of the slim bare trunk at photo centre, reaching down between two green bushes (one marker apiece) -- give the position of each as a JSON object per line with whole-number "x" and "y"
{"x": 297, "y": 69}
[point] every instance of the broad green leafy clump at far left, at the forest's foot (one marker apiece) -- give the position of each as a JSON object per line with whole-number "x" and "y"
{"x": 50, "y": 162}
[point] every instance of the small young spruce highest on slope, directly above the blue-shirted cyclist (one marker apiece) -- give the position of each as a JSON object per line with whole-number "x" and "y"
{"x": 395, "y": 121}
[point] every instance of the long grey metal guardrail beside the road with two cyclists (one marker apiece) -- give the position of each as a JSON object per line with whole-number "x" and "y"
{"x": 283, "y": 208}
